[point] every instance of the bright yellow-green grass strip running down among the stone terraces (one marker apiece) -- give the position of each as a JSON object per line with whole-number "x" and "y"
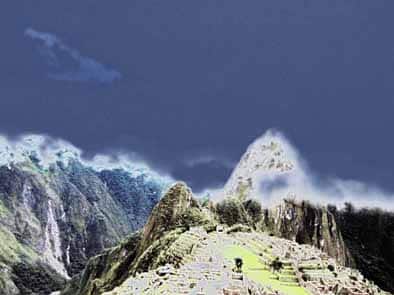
{"x": 255, "y": 270}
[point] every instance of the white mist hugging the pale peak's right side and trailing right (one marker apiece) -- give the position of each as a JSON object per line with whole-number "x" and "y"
{"x": 301, "y": 183}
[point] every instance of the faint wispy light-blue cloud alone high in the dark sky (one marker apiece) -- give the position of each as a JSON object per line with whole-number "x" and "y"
{"x": 87, "y": 69}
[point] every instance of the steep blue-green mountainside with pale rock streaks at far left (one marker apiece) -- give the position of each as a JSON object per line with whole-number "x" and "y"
{"x": 53, "y": 219}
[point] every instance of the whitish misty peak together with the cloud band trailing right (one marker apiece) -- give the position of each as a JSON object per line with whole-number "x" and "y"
{"x": 272, "y": 169}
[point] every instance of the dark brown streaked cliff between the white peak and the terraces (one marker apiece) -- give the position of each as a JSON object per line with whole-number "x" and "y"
{"x": 300, "y": 222}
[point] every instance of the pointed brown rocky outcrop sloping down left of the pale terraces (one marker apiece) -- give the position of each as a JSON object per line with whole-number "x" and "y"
{"x": 176, "y": 212}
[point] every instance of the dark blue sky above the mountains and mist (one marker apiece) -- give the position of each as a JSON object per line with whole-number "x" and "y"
{"x": 178, "y": 81}
